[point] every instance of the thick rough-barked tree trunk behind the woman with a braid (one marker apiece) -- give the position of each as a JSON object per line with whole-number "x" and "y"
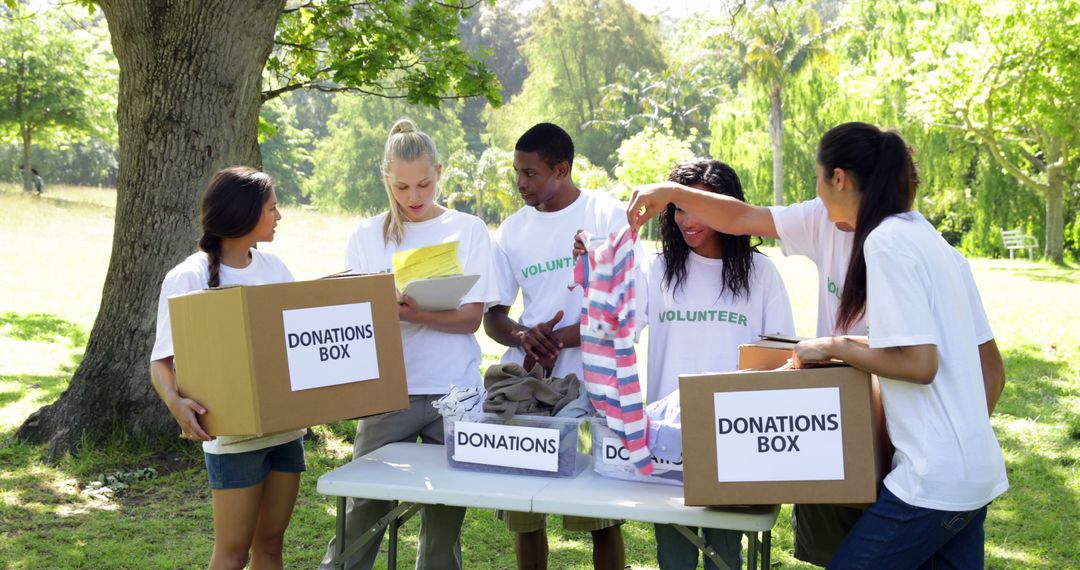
{"x": 188, "y": 105}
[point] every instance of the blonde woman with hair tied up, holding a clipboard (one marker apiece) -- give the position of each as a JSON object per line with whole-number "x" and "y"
{"x": 440, "y": 347}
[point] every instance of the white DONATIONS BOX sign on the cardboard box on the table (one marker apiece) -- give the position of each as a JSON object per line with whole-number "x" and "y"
{"x": 775, "y": 436}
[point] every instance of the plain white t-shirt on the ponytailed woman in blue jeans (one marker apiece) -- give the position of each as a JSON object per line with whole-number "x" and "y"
{"x": 921, "y": 291}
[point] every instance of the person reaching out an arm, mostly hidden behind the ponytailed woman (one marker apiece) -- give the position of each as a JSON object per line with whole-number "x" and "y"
{"x": 803, "y": 229}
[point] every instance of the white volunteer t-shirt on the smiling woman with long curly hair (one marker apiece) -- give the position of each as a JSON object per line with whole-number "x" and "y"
{"x": 694, "y": 330}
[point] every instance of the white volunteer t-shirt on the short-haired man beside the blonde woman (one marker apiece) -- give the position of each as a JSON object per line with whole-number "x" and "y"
{"x": 534, "y": 254}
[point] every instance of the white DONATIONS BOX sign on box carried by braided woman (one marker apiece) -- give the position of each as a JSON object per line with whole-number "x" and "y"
{"x": 330, "y": 346}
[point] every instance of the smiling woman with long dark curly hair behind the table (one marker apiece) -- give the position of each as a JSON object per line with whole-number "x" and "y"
{"x": 705, "y": 294}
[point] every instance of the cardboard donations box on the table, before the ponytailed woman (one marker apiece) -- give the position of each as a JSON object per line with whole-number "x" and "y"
{"x": 781, "y": 437}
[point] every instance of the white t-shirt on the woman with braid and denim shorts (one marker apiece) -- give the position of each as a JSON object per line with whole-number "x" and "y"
{"x": 193, "y": 275}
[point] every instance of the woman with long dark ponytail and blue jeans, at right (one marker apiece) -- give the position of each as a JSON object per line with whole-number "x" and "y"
{"x": 926, "y": 325}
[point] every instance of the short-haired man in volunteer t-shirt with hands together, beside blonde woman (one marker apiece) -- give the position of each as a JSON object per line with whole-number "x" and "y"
{"x": 534, "y": 255}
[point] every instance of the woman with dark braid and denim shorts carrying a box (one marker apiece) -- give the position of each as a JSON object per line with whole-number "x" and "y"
{"x": 254, "y": 481}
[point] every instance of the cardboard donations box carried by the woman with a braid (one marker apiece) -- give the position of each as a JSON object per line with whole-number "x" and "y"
{"x": 266, "y": 359}
